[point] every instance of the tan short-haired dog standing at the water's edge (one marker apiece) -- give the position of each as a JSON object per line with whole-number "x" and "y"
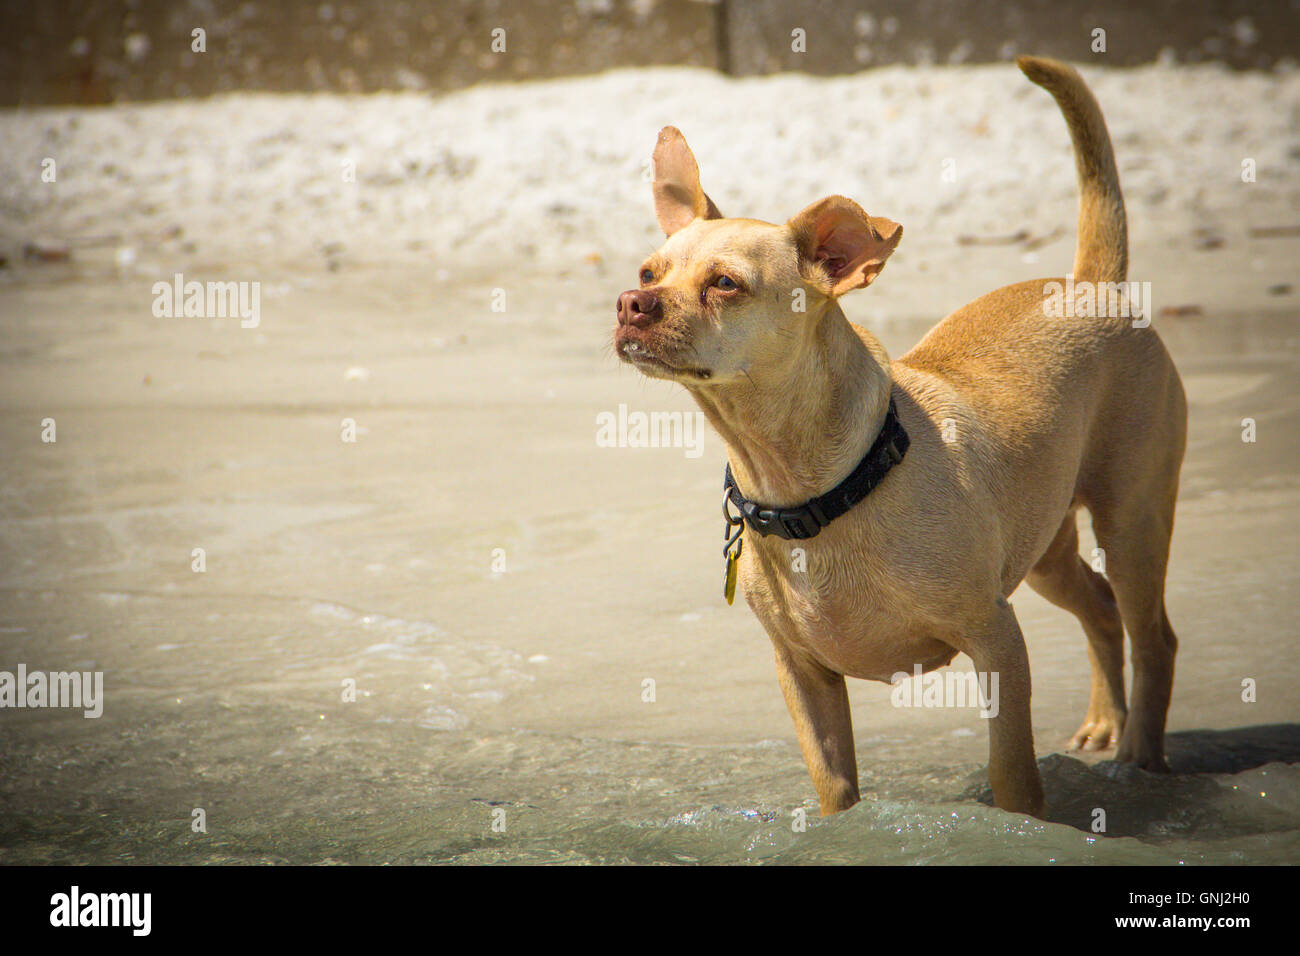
{"x": 1016, "y": 421}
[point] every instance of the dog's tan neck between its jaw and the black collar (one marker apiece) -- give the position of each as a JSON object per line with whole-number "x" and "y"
{"x": 795, "y": 435}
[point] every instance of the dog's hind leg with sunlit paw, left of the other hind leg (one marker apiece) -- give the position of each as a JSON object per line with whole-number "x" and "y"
{"x": 1064, "y": 579}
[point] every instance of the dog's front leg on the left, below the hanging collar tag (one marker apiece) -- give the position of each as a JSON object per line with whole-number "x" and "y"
{"x": 818, "y": 700}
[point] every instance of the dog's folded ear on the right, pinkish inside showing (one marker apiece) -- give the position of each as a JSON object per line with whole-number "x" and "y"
{"x": 850, "y": 245}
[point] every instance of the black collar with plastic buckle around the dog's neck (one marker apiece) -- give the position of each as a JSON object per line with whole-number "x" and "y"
{"x": 809, "y": 518}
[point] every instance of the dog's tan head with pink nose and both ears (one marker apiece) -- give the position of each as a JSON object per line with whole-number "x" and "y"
{"x": 729, "y": 297}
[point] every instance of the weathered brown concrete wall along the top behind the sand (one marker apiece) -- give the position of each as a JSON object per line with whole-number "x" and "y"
{"x": 68, "y": 51}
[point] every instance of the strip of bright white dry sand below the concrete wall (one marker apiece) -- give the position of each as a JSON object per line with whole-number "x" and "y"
{"x": 554, "y": 171}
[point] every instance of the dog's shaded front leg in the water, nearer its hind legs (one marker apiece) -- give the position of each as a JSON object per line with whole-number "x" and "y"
{"x": 998, "y": 650}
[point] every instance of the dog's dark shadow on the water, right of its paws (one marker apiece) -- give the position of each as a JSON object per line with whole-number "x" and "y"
{"x": 1137, "y": 803}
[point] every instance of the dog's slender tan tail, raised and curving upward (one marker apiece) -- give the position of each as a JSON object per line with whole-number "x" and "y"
{"x": 1102, "y": 254}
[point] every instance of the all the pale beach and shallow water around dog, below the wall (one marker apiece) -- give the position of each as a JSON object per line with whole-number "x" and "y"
{"x": 496, "y": 583}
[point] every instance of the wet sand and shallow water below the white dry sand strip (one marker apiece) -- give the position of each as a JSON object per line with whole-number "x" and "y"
{"x": 517, "y": 697}
